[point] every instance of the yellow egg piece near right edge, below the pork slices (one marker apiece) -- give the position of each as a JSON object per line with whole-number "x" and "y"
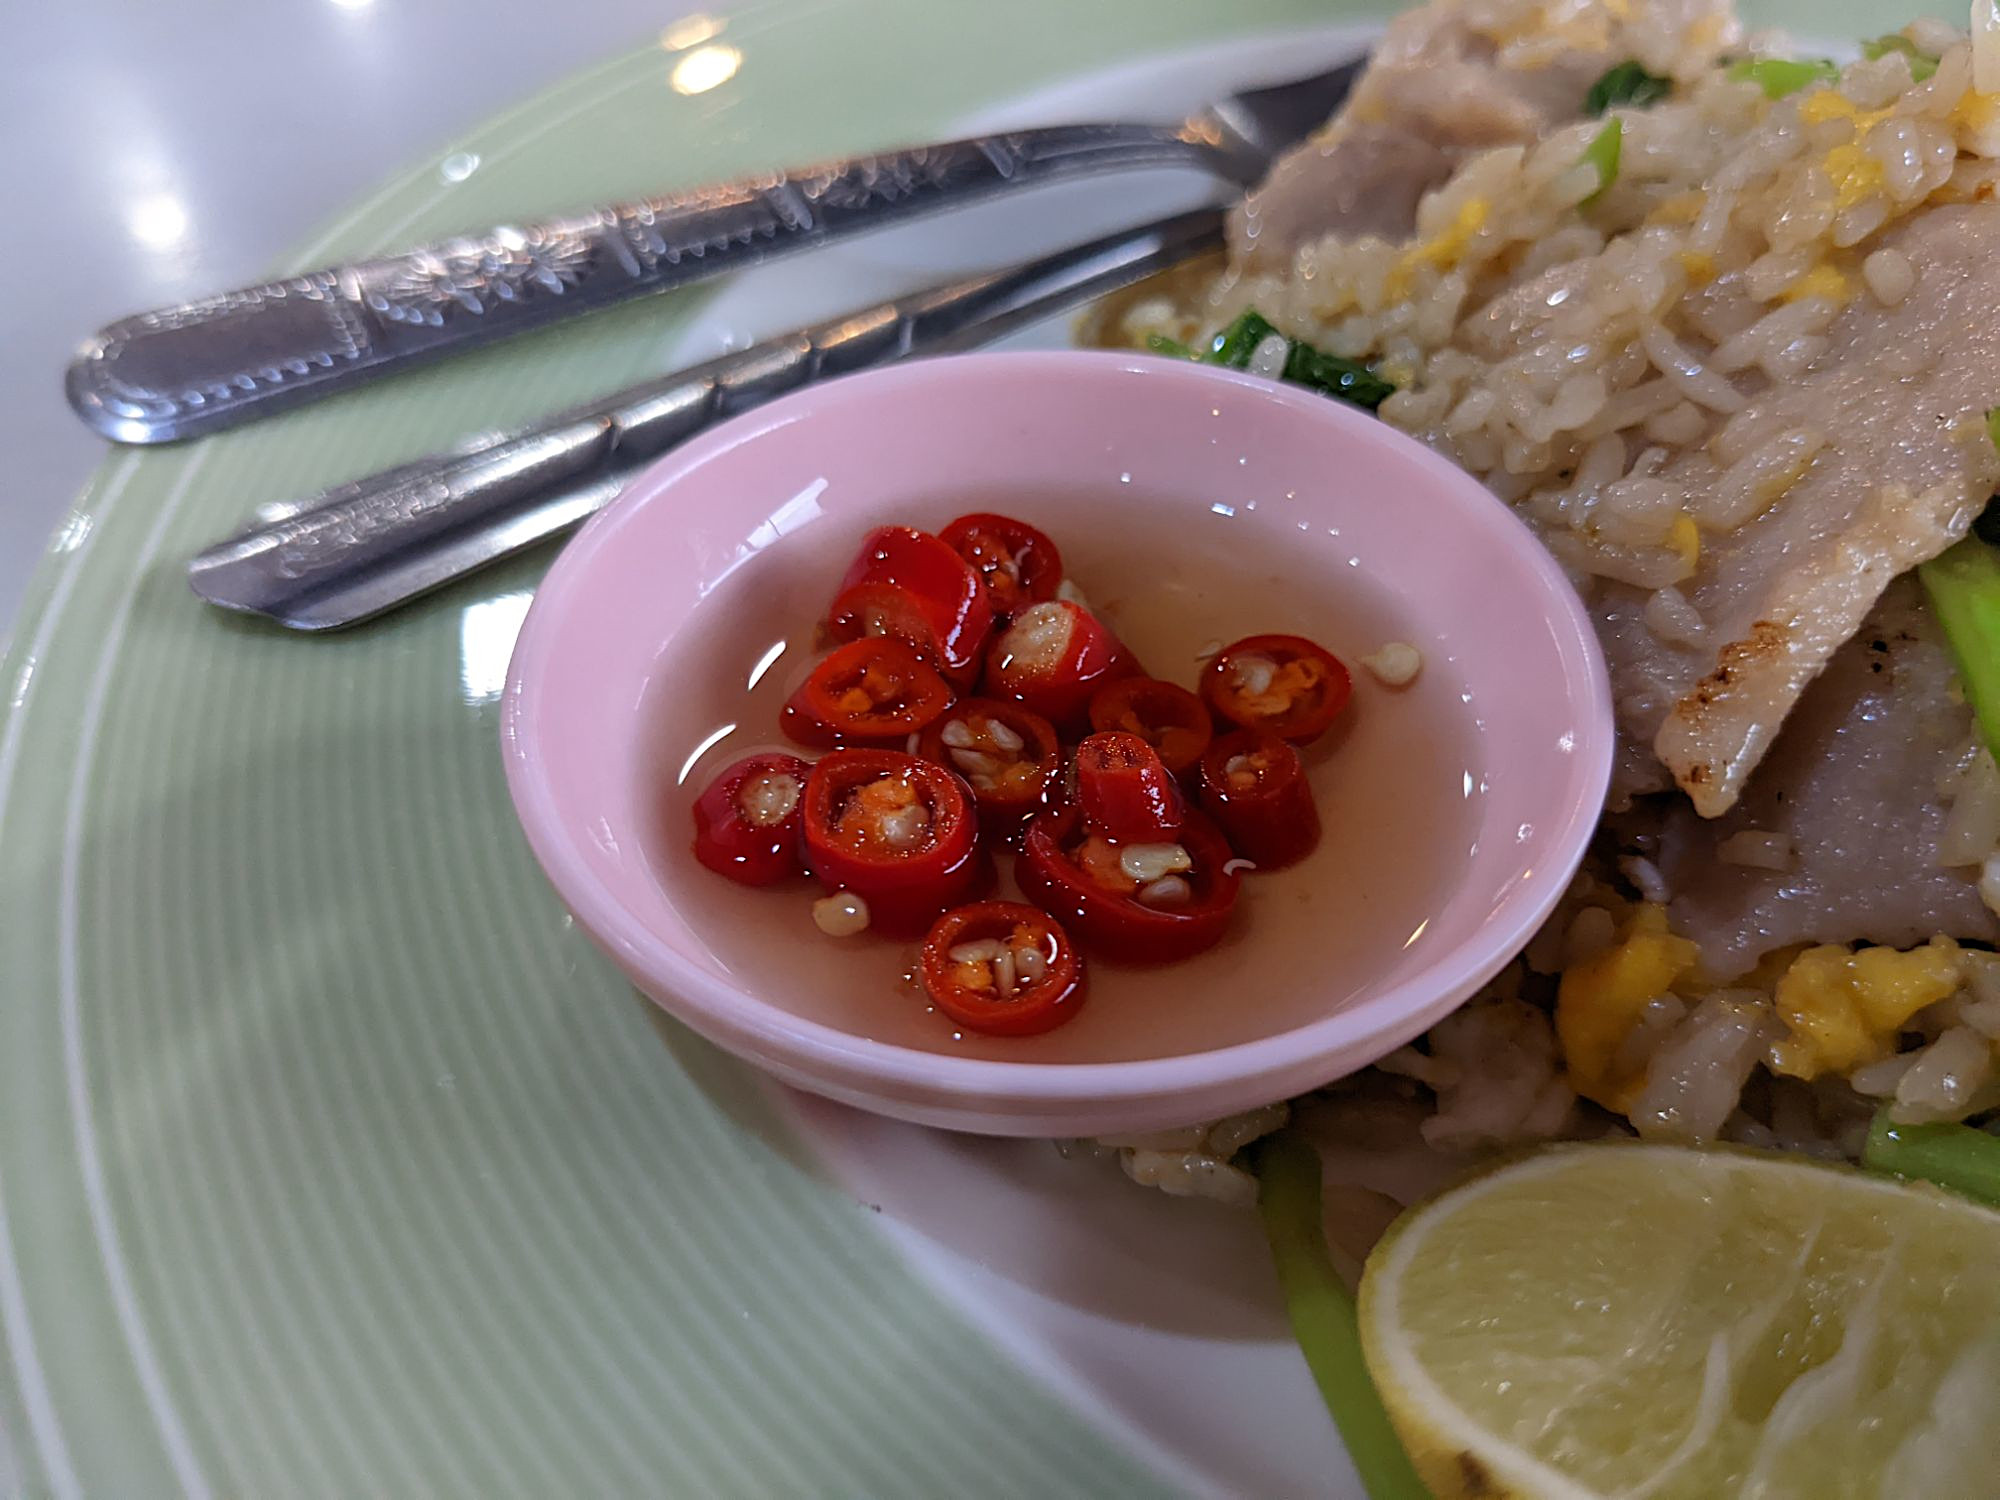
{"x": 1845, "y": 1009}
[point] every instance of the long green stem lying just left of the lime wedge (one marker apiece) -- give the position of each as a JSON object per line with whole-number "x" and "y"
{"x": 1323, "y": 1315}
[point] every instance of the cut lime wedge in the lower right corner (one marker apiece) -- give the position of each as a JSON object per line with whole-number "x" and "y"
{"x": 1661, "y": 1325}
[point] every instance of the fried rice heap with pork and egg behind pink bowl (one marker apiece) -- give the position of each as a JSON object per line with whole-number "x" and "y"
{"x": 1739, "y": 385}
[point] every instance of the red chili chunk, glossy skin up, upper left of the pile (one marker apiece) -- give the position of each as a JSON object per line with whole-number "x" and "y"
{"x": 907, "y": 583}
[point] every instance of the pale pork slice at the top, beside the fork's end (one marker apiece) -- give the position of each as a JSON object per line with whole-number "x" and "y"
{"x": 1449, "y": 81}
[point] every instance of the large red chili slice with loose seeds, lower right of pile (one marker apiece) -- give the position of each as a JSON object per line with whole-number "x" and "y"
{"x": 1087, "y": 885}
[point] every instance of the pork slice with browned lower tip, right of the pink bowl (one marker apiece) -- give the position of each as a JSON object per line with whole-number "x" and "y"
{"x": 1899, "y": 401}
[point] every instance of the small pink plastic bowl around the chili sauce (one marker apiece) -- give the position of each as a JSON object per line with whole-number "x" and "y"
{"x": 805, "y": 475}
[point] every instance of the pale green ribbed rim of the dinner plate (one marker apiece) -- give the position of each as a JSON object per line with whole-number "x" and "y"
{"x": 333, "y": 1161}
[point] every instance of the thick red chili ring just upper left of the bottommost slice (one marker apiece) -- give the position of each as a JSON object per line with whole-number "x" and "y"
{"x": 895, "y": 831}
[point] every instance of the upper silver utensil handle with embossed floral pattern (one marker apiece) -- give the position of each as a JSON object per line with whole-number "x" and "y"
{"x": 209, "y": 365}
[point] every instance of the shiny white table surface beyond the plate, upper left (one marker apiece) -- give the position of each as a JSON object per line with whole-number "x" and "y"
{"x": 165, "y": 151}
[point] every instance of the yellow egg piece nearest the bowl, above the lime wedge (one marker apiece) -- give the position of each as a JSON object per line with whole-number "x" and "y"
{"x": 1603, "y": 999}
